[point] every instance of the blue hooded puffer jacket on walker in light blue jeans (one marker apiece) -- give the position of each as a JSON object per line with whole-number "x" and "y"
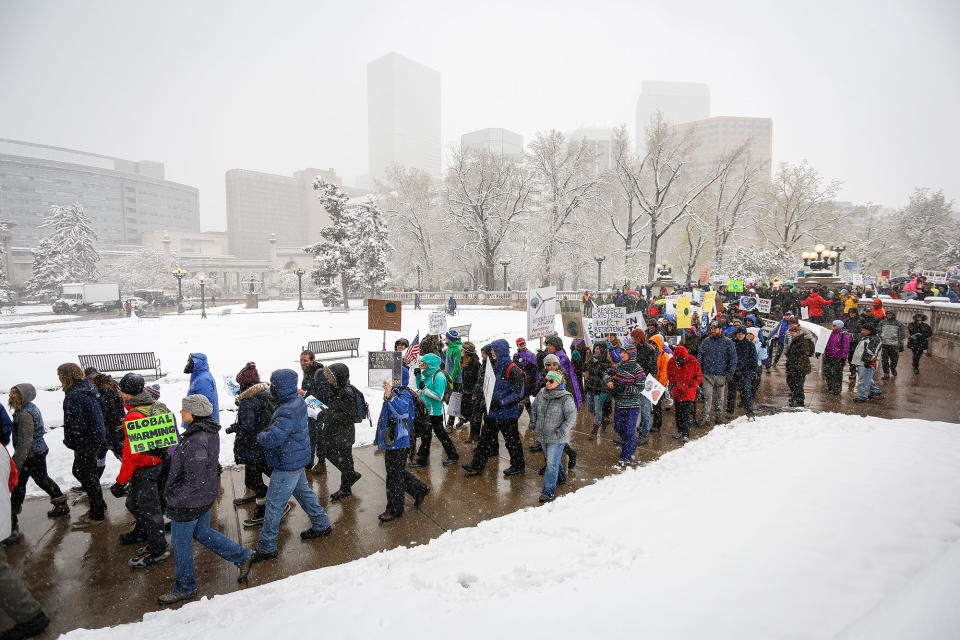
{"x": 286, "y": 442}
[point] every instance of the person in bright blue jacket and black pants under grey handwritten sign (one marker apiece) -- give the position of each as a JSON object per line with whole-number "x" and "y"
{"x": 393, "y": 438}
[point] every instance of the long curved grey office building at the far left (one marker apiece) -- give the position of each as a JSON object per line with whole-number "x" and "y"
{"x": 122, "y": 198}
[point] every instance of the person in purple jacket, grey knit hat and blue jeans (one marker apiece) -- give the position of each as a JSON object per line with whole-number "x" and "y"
{"x": 191, "y": 490}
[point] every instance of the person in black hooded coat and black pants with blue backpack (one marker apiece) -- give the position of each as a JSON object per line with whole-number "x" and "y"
{"x": 340, "y": 430}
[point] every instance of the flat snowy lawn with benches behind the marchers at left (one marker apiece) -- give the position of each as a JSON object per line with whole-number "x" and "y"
{"x": 272, "y": 337}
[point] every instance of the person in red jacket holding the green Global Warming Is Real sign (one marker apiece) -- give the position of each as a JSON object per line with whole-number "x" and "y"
{"x": 141, "y": 471}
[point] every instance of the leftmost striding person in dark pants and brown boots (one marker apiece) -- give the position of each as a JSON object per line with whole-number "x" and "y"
{"x": 30, "y": 456}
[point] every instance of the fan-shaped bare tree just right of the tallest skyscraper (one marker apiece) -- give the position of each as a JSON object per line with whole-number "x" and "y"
{"x": 487, "y": 195}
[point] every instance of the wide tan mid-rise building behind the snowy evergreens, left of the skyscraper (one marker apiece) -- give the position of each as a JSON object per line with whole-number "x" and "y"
{"x": 260, "y": 204}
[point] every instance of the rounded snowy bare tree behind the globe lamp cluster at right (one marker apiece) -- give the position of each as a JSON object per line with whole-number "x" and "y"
{"x": 799, "y": 206}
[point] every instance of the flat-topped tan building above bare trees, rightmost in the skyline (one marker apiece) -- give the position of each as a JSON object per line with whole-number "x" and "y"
{"x": 719, "y": 136}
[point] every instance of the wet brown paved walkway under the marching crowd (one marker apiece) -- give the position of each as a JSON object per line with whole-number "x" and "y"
{"x": 82, "y": 579}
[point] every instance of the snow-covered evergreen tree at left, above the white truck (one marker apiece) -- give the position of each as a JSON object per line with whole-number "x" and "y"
{"x": 68, "y": 254}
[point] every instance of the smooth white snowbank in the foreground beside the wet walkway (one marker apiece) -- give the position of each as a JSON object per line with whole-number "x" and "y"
{"x": 793, "y": 526}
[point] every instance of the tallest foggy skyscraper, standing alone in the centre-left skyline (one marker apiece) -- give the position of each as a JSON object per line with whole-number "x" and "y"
{"x": 403, "y": 115}
